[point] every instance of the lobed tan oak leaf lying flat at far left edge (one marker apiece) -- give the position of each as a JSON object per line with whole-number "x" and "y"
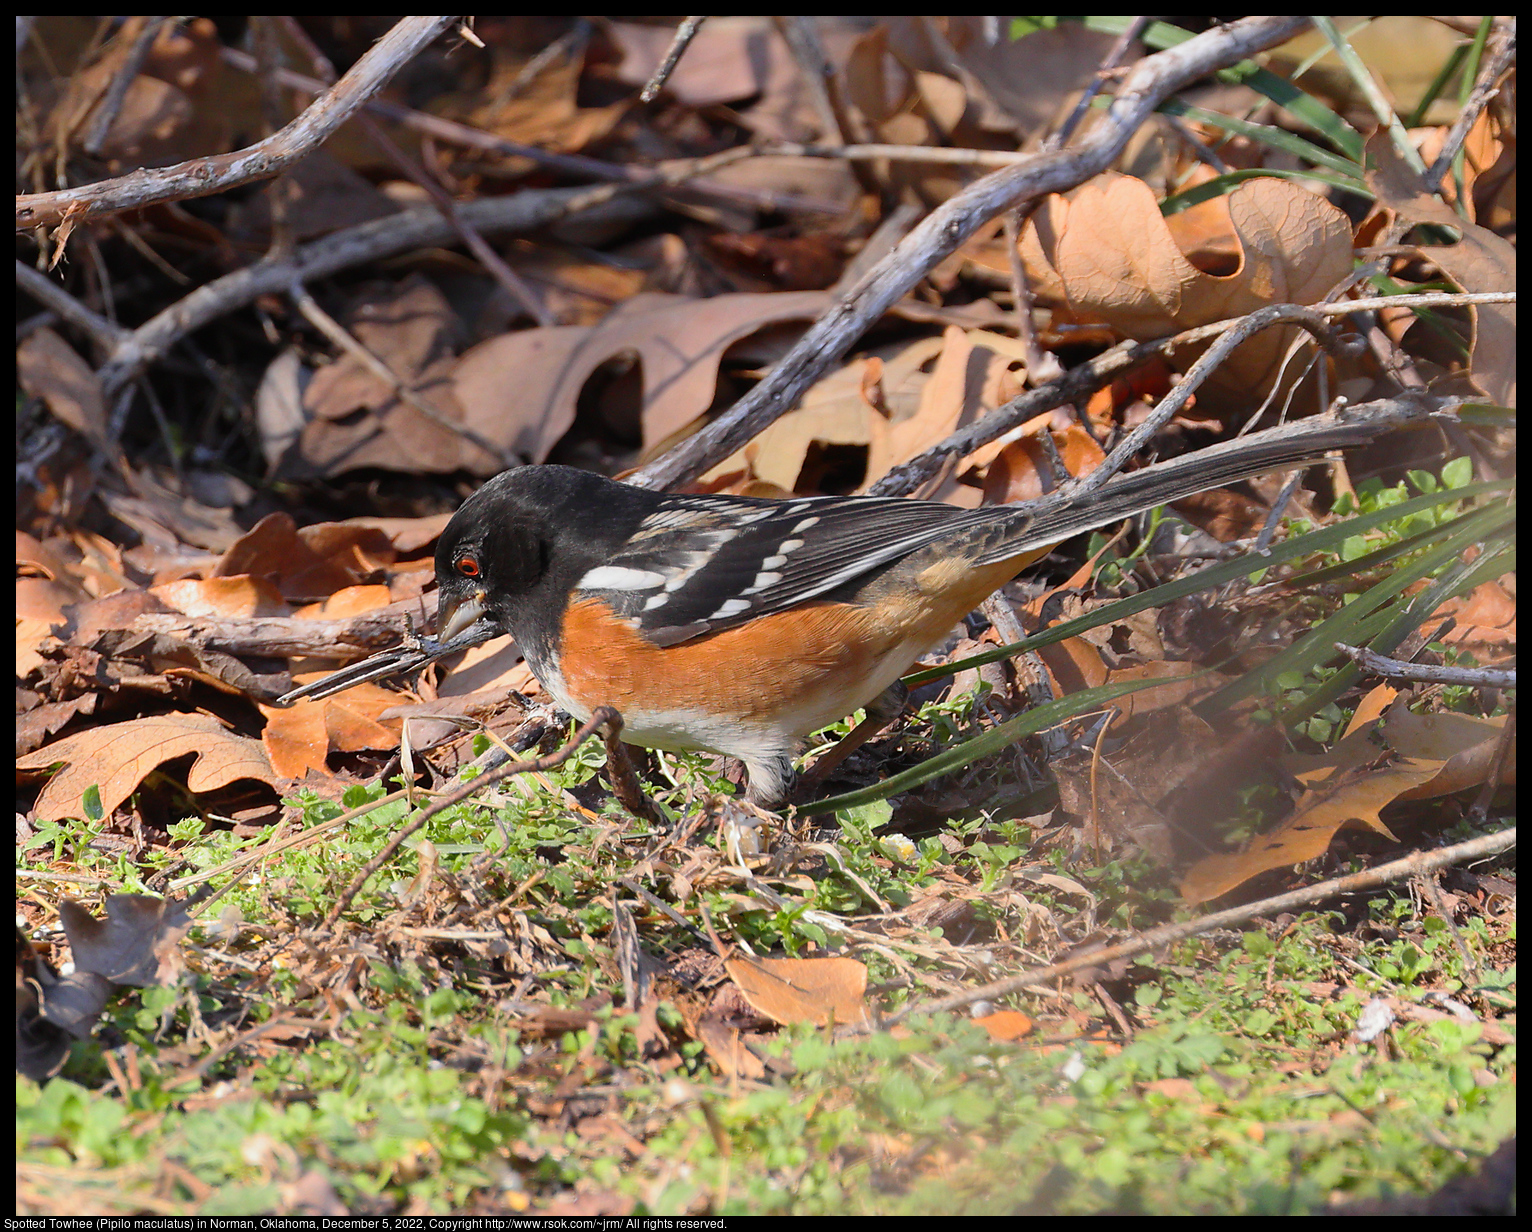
{"x": 117, "y": 759}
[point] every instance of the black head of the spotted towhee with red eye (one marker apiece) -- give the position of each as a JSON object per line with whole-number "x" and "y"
{"x": 519, "y": 545}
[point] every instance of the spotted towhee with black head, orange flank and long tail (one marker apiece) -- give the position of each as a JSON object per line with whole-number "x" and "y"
{"x": 744, "y": 624}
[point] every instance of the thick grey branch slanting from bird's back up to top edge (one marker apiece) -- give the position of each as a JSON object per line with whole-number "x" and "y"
{"x": 952, "y": 224}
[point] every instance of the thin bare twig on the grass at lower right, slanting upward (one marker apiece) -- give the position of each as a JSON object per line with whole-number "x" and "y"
{"x": 1413, "y": 865}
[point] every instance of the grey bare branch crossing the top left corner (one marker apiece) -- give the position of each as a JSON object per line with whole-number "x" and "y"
{"x": 215, "y": 174}
